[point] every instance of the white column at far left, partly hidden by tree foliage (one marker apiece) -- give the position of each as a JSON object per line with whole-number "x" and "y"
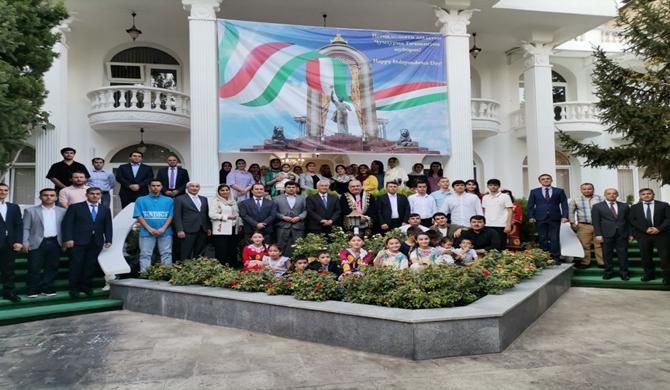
{"x": 51, "y": 138}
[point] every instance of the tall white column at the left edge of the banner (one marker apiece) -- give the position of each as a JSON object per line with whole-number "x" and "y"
{"x": 204, "y": 99}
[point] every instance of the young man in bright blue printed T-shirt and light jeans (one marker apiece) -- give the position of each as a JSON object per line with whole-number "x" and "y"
{"x": 154, "y": 213}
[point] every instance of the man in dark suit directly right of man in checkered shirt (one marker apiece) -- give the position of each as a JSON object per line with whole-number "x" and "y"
{"x": 610, "y": 226}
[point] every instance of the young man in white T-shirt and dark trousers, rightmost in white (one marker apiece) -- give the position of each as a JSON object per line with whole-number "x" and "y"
{"x": 498, "y": 210}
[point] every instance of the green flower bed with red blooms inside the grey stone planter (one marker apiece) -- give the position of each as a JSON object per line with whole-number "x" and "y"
{"x": 433, "y": 287}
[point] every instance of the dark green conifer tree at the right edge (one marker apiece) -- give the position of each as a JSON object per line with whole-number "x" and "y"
{"x": 635, "y": 103}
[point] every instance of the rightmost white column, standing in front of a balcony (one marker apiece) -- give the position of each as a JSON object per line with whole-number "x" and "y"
{"x": 539, "y": 112}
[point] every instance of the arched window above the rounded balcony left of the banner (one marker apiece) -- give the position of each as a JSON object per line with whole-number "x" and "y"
{"x": 145, "y": 66}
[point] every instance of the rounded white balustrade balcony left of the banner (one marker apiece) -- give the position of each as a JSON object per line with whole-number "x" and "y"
{"x": 121, "y": 107}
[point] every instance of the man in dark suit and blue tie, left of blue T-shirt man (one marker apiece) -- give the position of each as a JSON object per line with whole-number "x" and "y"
{"x": 86, "y": 228}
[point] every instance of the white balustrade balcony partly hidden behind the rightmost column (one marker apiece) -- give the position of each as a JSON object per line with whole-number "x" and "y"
{"x": 577, "y": 119}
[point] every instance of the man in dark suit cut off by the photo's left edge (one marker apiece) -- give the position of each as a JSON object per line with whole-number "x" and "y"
{"x": 11, "y": 236}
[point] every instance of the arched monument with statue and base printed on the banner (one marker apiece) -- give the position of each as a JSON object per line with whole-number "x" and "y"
{"x": 325, "y": 126}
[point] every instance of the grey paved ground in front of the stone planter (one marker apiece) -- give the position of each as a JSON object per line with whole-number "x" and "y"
{"x": 589, "y": 339}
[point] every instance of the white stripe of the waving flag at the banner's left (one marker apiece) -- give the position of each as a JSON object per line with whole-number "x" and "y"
{"x": 266, "y": 73}
